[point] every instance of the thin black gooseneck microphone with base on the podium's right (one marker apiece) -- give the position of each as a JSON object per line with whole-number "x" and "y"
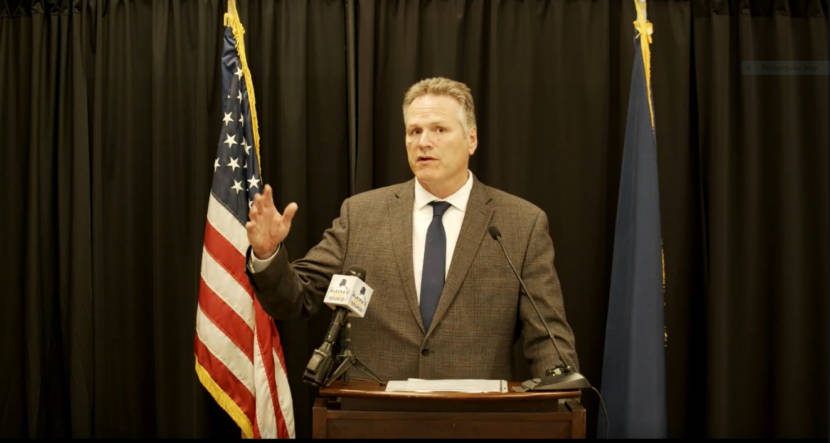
{"x": 561, "y": 377}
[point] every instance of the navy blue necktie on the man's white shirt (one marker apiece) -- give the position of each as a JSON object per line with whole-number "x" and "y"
{"x": 435, "y": 259}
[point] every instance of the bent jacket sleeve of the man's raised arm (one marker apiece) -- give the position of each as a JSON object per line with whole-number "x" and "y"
{"x": 296, "y": 289}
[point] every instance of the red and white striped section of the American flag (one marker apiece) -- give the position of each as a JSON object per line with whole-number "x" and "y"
{"x": 239, "y": 356}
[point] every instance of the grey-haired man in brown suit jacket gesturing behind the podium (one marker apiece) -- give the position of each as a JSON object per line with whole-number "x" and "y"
{"x": 446, "y": 303}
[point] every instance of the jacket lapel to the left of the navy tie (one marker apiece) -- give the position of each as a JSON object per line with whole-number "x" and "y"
{"x": 400, "y": 216}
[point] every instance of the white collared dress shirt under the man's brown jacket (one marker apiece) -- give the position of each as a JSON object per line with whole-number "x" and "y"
{"x": 422, "y": 217}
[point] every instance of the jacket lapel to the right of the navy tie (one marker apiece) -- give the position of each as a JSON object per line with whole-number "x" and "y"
{"x": 476, "y": 220}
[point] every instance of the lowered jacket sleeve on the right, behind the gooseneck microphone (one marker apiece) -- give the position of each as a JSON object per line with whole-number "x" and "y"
{"x": 542, "y": 281}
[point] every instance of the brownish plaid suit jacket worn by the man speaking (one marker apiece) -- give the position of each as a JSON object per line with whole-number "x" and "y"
{"x": 481, "y": 311}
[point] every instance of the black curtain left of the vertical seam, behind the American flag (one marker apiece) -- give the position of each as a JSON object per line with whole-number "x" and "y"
{"x": 110, "y": 125}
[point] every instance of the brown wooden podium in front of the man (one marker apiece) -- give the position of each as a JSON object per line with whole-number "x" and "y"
{"x": 363, "y": 409}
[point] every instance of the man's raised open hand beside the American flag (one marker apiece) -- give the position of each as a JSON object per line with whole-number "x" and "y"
{"x": 266, "y": 227}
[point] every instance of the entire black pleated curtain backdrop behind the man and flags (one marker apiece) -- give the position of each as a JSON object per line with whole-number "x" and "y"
{"x": 108, "y": 128}
